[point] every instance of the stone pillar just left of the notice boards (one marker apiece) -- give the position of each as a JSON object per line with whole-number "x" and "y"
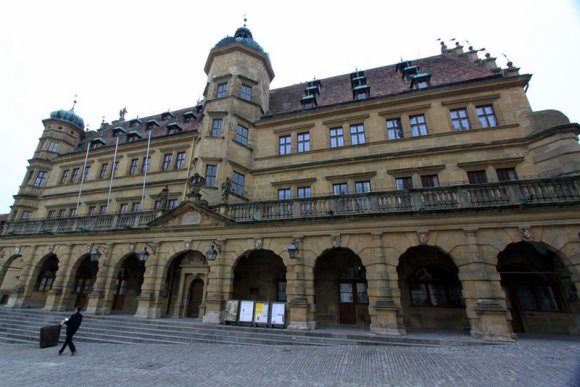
{"x": 216, "y": 293}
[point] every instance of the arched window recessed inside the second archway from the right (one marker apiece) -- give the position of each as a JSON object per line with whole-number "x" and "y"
{"x": 435, "y": 286}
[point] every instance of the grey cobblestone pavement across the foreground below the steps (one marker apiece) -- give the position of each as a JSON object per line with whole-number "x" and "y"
{"x": 547, "y": 361}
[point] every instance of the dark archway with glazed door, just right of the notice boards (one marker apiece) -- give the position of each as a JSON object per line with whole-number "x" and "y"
{"x": 341, "y": 289}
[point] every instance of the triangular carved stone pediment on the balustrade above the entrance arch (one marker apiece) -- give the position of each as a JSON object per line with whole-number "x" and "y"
{"x": 189, "y": 214}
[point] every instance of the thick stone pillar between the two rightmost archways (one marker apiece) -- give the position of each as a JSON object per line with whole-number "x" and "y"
{"x": 484, "y": 298}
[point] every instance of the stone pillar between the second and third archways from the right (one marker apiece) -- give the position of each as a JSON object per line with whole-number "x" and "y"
{"x": 384, "y": 303}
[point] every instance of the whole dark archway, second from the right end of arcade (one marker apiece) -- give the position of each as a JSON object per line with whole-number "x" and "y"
{"x": 431, "y": 293}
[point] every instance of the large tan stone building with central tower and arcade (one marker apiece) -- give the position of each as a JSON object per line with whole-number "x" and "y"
{"x": 420, "y": 195}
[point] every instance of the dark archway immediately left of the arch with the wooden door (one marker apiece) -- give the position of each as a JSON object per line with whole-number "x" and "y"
{"x": 128, "y": 281}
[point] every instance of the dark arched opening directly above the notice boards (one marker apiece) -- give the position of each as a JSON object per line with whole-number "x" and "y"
{"x": 260, "y": 275}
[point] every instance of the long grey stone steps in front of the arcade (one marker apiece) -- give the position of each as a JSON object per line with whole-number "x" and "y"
{"x": 23, "y": 326}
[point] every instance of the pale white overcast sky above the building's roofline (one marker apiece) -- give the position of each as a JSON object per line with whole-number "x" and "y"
{"x": 148, "y": 56}
